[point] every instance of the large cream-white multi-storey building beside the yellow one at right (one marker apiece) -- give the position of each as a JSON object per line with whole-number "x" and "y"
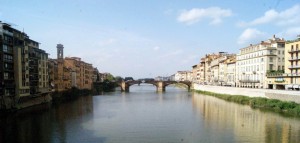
{"x": 255, "y": 61}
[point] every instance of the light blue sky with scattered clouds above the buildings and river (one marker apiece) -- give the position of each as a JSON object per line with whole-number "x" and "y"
{"x": 143, "y": 38}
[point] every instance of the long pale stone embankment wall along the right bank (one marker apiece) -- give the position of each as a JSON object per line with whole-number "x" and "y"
{"x": 285, "y": 95}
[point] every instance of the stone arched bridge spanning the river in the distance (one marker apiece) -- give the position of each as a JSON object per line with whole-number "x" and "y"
{"x": 160, "y": 85}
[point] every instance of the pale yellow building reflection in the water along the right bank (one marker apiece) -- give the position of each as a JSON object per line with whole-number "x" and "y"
{"x": 245, "y": 123}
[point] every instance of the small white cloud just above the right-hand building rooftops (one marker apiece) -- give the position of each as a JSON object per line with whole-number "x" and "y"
{"x": 251, "y": 36}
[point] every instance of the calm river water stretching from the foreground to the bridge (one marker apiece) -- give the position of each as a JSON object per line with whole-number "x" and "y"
{"x": 145, "y": 116}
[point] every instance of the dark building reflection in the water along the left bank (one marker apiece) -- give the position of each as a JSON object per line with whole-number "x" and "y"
{"x": 43, "y": 123}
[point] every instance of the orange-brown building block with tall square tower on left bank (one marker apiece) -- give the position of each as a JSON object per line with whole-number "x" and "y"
{"x": 69, "y": 72}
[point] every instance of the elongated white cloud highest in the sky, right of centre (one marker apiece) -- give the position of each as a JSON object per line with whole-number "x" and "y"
{"x": 192, "y": 16}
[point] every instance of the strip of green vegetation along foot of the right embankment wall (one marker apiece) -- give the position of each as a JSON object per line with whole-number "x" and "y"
{"x": 285, "y": 107}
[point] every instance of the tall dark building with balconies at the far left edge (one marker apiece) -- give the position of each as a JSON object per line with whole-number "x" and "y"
{"x": 23, "y": 70}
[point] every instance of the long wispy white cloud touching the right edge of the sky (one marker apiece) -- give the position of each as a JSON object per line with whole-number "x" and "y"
{"x": 287, "y": 17}
